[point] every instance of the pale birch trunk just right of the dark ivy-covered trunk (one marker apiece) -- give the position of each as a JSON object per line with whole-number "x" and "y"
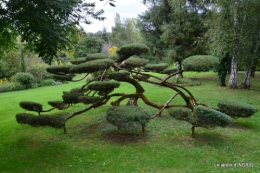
{"x": 232, "y": 84}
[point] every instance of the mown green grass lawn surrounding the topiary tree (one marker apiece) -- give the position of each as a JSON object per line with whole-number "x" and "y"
{"x": 92, "y": 145}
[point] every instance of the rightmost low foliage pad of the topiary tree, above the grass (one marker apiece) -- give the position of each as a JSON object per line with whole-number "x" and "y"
{"x": 236, "y": 109}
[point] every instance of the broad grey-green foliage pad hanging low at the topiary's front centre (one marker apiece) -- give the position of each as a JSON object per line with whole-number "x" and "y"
{"x": 124, "y": 116}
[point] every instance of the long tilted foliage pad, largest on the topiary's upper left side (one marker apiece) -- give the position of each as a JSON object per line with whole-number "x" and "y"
{"x": 92, "y": 66}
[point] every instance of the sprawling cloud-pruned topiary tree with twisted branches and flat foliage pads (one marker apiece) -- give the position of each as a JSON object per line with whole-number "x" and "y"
{"x": 130, "y": 68}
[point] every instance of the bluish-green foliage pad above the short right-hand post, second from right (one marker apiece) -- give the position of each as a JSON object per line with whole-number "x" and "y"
{"x": 207, "y": 117}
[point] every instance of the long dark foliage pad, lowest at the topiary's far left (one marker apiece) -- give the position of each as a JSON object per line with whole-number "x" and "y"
{"x": 40, "y": 121}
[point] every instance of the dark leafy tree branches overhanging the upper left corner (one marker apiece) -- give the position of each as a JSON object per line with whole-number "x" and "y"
{"x": 45, "y": 24}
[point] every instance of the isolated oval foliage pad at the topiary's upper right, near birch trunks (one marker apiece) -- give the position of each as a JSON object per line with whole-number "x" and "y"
{"x": 200, "y": 63}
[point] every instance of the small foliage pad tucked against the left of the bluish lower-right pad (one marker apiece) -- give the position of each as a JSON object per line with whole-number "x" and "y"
{"x": 180, "y": 113}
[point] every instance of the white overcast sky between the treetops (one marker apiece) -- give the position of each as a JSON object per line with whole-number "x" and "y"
{"x": 125, "y": 8}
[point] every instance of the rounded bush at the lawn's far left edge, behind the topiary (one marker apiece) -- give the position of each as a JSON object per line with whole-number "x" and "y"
{"x": 26, "y": 79}
